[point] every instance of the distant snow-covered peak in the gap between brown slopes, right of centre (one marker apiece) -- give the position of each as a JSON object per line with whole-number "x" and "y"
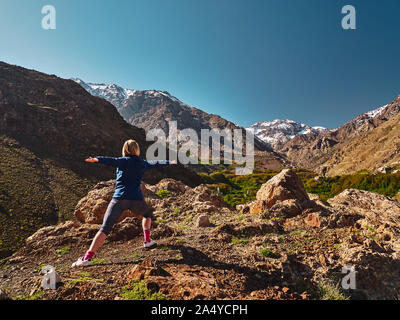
{"x": 277, "y": 132}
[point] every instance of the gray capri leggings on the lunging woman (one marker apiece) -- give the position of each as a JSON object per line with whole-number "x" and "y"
{"x": 117, "y": 206}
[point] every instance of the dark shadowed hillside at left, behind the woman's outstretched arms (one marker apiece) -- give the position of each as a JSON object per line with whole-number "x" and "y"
{"x": 48, "y": 126}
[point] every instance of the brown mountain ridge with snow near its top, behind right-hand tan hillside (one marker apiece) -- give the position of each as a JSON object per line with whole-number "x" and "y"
{"x": 311, "y": 150}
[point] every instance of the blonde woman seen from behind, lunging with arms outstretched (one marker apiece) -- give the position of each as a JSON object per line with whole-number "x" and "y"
{"x": 127, "y": 195}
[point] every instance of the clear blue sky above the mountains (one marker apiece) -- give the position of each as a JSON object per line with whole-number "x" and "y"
{"x": 246, "y": 60}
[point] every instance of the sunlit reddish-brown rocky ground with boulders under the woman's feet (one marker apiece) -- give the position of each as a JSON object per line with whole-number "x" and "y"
{"x": 285, "y": 245}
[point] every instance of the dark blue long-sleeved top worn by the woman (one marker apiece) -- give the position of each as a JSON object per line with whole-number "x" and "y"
{"x": 130, "y": 171}
